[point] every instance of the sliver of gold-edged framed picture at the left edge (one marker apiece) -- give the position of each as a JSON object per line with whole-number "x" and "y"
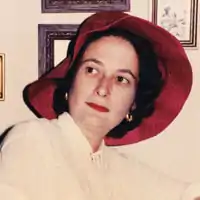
{"x": 2, "y": 76}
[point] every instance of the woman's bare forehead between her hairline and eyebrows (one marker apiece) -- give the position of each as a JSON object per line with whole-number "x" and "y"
{"x": 112, "y": 50}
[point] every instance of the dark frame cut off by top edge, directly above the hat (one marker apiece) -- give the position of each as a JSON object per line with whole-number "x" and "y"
{"x": 65, "y": 6}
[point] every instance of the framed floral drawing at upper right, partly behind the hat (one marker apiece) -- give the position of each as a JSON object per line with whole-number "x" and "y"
{"x": 179, "y": 17}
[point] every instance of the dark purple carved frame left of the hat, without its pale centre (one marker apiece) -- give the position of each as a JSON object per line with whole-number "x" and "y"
{"x": 48, "y": 33}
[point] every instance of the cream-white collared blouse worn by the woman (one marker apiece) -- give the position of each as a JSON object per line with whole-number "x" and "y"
{"x": 52, "y": 160}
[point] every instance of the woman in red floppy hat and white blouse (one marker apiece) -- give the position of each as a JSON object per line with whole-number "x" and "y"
{"x": 112, "y": 89}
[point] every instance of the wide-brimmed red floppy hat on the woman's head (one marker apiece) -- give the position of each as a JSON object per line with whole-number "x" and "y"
{"x": 178, "y": 74}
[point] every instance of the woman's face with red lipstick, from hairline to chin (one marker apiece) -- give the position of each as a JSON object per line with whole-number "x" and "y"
{"x": 105, "y": 85}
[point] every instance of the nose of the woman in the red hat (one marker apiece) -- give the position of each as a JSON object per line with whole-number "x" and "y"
{"x": 103, "y": 87}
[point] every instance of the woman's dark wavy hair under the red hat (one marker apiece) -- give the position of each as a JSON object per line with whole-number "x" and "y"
{"x": 149, "y": 85}
